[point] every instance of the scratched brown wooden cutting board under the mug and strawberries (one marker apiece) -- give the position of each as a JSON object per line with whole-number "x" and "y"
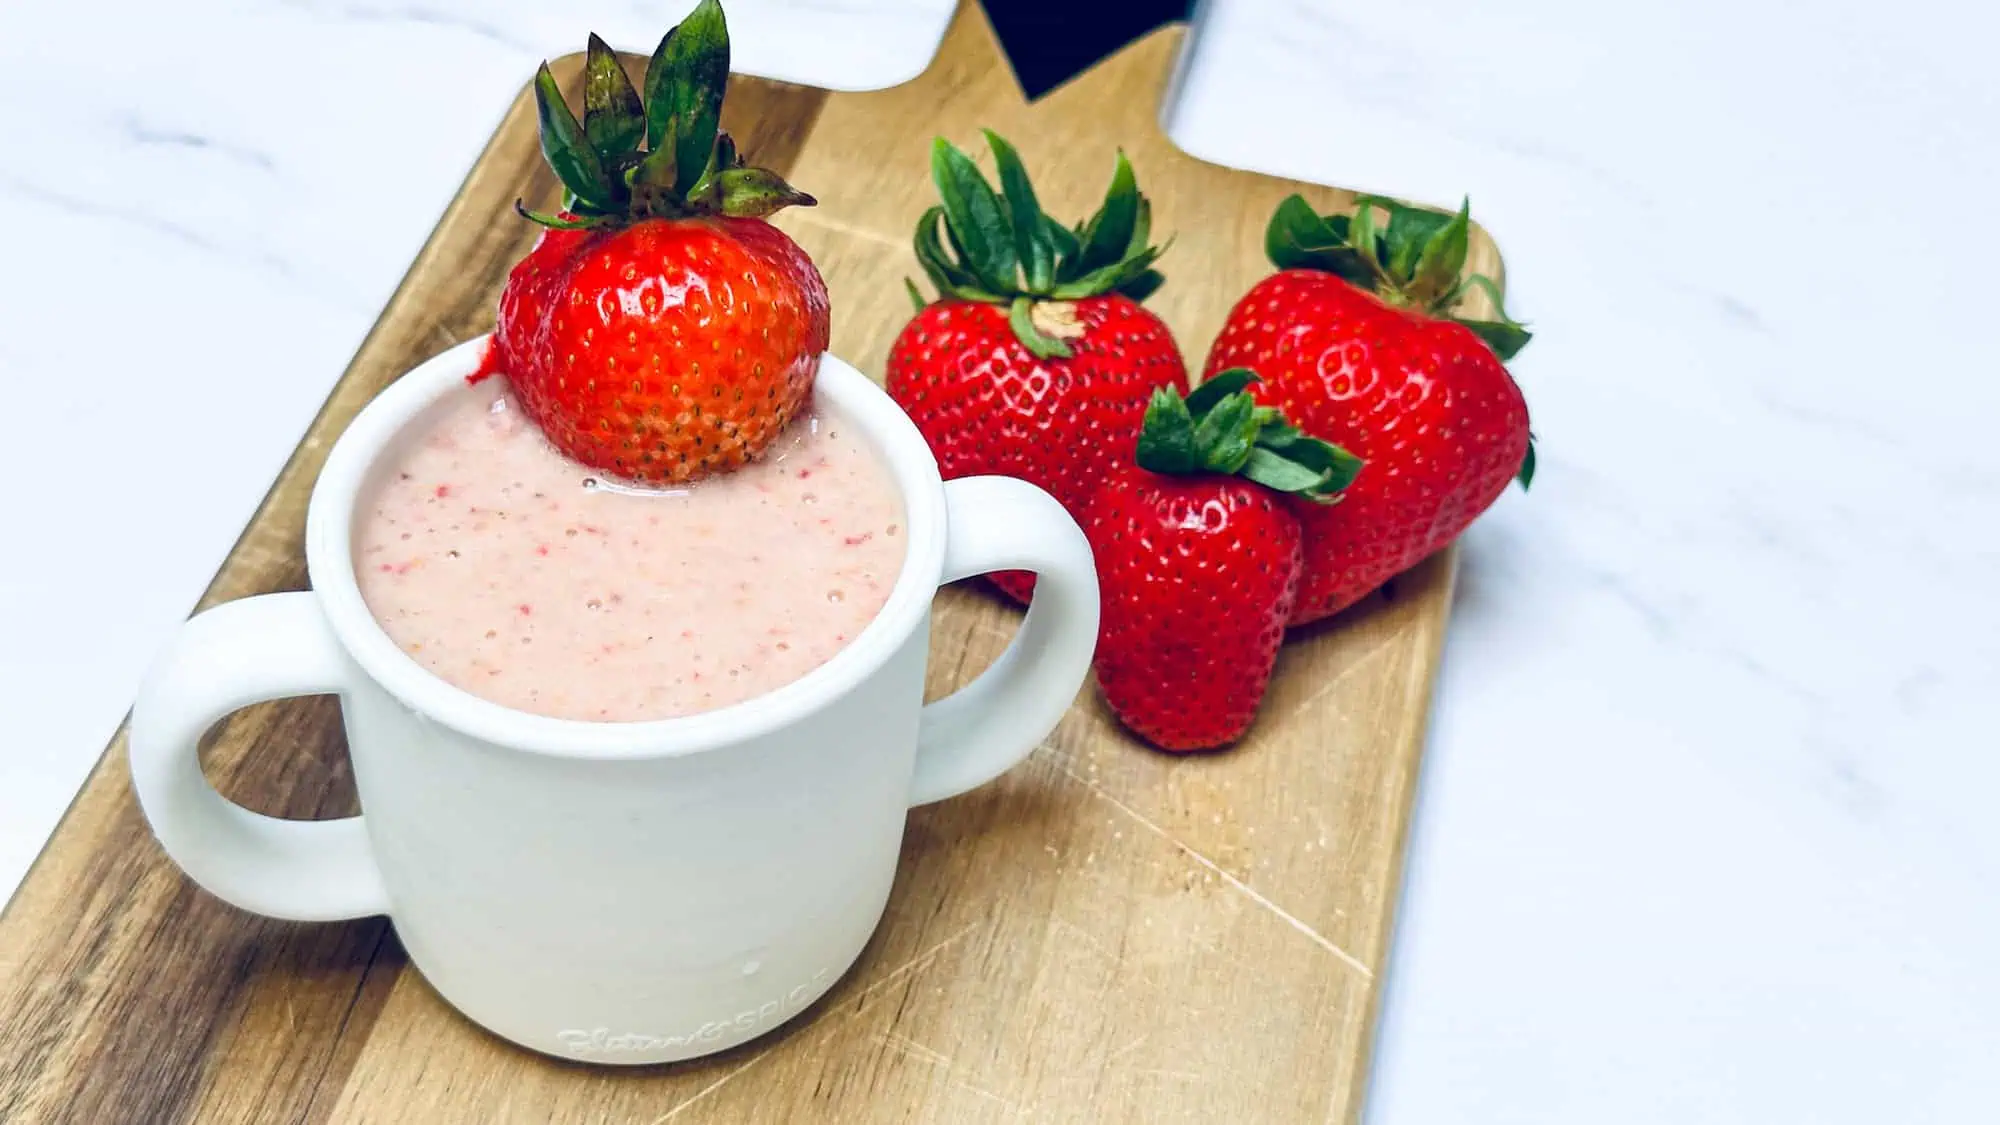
{"x": 1105, "y": 936}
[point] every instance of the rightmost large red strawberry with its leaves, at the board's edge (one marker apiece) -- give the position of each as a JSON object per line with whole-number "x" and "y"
{"x": 1357, "y": 341}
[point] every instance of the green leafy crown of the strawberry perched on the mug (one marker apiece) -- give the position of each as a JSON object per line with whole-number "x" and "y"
{"x": 689, "y": 165}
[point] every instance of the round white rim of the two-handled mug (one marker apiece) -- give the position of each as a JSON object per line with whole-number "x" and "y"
{"x": 331, "y": 574}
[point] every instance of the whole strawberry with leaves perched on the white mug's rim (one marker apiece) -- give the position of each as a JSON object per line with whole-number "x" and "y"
{"x": 661, "y": 331}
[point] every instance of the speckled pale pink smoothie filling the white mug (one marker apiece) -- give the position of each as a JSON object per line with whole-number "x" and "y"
{"x": 517, "y": 576}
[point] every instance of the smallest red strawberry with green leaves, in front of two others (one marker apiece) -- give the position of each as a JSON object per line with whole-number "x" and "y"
{"x": 1199, "y": 561}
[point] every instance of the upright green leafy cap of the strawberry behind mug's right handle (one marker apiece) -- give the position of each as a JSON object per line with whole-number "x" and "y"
{"x": 1005, "y": 249}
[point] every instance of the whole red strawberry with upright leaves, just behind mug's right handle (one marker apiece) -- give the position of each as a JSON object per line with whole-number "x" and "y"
{"x": 1037, "y": 359}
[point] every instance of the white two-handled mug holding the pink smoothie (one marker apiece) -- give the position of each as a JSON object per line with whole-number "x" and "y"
{"x": 617, "y": 892}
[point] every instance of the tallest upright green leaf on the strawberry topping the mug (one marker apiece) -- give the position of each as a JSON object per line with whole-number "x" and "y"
{"x": 685, "y": 89}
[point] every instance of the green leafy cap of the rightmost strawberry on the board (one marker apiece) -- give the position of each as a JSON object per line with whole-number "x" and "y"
{"x": 1411, "y": 259}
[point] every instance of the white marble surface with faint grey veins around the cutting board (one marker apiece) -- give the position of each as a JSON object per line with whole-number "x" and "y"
{"x": 1705, "y": 832}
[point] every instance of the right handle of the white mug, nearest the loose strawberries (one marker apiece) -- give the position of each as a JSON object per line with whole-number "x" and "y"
{"x": 983, "y": 730}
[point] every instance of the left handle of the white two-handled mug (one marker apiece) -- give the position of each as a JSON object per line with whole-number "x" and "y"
{"x": 229, "y": 658}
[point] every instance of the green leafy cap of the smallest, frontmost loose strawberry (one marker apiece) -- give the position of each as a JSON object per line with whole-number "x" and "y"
{"x": 1219, "y": 427}
